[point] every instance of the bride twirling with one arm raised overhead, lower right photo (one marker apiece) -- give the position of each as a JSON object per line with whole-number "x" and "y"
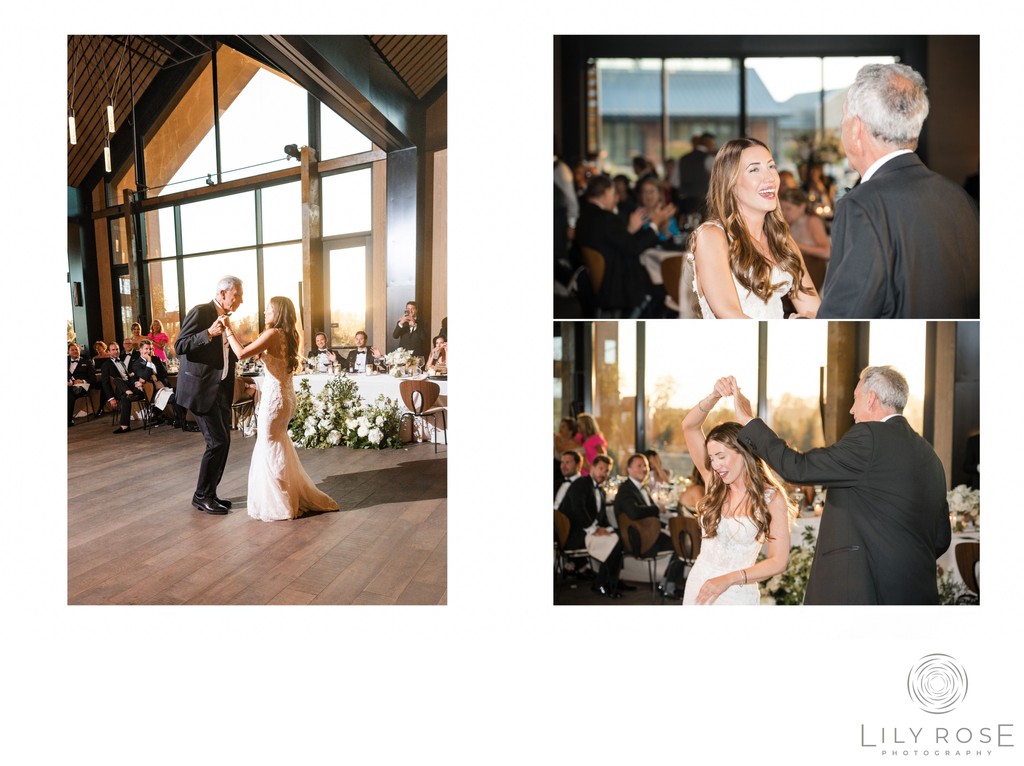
{"x": 745, "y": 506}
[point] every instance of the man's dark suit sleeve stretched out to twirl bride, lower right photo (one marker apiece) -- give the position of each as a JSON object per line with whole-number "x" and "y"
{"x": 843, "y": 464}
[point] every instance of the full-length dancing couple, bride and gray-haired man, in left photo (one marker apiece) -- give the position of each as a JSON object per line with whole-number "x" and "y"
{"x": 207, "y": 348}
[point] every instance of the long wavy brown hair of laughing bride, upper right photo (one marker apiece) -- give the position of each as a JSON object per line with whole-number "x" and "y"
{"x": 750, "y": 268}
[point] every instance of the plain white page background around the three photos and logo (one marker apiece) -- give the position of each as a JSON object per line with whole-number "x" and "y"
{"x": 499, "y": 675}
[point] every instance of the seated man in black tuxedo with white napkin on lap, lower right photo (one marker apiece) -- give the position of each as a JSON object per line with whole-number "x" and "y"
{"x": 585, "y": 506}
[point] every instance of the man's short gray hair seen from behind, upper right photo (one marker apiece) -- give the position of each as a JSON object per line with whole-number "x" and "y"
{"x": 892, "y": 102}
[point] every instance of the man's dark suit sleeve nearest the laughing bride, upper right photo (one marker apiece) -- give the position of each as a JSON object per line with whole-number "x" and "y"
{"x": 857, "y": 278}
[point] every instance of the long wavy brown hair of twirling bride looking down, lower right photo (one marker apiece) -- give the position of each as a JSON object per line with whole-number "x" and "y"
{"x": 758, "y": 479}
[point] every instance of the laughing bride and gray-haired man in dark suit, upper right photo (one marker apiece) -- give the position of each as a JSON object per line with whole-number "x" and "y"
{"x": 905, "y": 242}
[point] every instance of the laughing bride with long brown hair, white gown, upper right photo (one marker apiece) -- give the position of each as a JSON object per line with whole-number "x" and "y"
{"x": 745, "y": 261}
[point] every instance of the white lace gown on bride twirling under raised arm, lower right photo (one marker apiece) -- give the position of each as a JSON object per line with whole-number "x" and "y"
{"x": 735, "y": 547}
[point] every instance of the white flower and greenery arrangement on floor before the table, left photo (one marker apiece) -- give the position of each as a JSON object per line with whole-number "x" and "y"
{"x": 338, "y": 416}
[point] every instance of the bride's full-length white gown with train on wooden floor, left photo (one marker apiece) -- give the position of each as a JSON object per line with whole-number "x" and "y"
{"x": 279, "y": 488}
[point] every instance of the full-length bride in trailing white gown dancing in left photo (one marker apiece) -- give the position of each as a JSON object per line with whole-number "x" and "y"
{"x": 279, "y": 488}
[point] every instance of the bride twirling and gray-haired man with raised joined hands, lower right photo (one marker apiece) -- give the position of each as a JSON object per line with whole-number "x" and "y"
{"x": 886, "y": 522}
